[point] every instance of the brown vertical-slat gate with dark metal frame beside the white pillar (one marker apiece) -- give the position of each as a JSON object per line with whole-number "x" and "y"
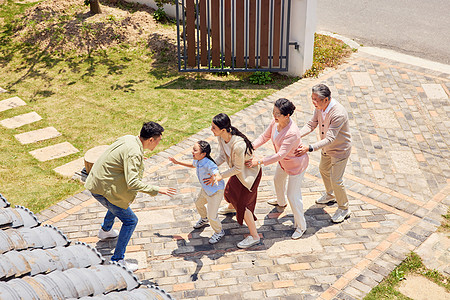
{"x": 233, "y": 35}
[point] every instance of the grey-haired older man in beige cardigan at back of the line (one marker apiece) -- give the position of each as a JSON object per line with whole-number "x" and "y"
{"x": 335, "y": 141}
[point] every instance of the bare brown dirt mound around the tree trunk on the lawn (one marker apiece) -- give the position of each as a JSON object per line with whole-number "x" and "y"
{"x": 69, "y": 26}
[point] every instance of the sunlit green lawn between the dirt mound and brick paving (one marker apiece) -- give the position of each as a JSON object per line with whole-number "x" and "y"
{"x": 93, "y": 99}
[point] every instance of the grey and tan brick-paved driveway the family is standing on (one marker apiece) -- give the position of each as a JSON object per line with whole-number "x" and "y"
{"x": 397, "y": 179}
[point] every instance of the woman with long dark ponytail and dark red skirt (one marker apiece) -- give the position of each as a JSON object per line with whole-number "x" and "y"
{"x": 241, "y": 189}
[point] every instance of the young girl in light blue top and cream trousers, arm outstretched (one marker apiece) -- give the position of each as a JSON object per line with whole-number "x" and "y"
{"x": 211, "y": 194}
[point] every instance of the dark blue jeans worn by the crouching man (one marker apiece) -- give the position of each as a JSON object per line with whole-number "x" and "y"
{"x": 129, "y": 222}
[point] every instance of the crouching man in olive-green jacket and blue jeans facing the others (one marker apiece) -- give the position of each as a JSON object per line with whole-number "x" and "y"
{"x": 115, "y": 179}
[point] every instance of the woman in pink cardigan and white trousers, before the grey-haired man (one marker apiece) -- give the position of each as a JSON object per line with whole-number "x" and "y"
{"x": 285, "y": 136}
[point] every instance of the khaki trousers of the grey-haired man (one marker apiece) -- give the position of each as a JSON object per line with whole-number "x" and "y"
{"x": 332, "y": 171}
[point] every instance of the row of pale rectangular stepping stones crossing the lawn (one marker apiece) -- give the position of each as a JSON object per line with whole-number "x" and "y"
{"x": 42, "y": 154}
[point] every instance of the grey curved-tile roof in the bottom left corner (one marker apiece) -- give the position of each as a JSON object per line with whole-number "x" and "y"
{"x": 40, "y": 262}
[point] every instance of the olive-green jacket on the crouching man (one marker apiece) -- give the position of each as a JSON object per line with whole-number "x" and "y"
{"x": 117, "y": 174}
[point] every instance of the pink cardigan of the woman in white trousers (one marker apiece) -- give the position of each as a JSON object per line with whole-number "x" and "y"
{"x": 287, "y": 140}
